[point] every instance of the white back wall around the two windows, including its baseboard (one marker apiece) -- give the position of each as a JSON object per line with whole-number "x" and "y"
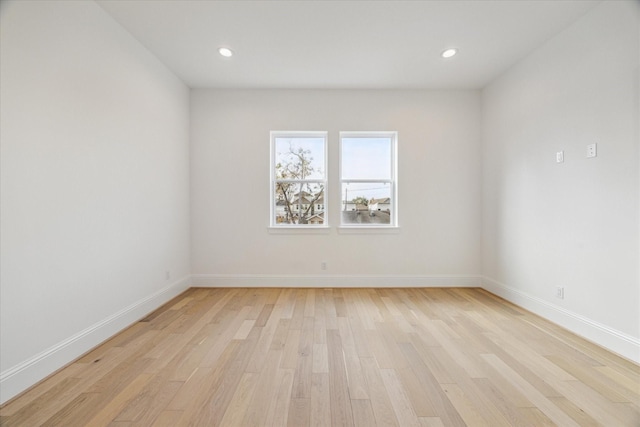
{"x": 439, "y": 189}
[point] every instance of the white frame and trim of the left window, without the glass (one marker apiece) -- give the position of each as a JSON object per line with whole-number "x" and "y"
{"x": 273, "y": 226}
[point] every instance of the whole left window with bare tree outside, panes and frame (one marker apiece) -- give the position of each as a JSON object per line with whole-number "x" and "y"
{"x": 299, "y": 178}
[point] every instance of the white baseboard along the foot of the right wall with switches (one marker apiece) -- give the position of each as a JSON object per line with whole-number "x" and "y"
{"x": 609, "y": 338}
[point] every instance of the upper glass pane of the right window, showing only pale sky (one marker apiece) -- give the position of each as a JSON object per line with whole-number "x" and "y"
{"x": 366, "y": 158}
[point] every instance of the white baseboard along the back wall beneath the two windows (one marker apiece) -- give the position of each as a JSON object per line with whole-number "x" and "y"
{"x": 331, "y": 281}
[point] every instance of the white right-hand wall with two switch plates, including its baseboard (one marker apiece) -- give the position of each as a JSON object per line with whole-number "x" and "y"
{"x": 573, "y": 224}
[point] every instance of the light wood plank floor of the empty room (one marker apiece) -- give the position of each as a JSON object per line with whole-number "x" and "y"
{"x": 341, "y": 357}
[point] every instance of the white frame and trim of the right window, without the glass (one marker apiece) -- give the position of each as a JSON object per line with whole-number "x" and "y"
{"x": 393, "y": 135}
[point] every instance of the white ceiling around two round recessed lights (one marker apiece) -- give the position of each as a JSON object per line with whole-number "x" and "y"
{"x": 343, "y": 44}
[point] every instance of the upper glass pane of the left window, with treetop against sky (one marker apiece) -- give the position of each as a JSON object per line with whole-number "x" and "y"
{"x": 299, "y": 158}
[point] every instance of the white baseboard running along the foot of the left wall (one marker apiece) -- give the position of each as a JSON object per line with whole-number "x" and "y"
{"x": 24, "y": 375}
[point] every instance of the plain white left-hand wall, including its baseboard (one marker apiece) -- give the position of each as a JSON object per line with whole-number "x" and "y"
{"x": 94, "y": 184}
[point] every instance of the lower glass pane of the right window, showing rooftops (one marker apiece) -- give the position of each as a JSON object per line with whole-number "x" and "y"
{"x": 366, "y": 203}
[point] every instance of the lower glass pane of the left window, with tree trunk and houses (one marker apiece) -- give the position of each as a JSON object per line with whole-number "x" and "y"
{"x": 297, "y": 203}
